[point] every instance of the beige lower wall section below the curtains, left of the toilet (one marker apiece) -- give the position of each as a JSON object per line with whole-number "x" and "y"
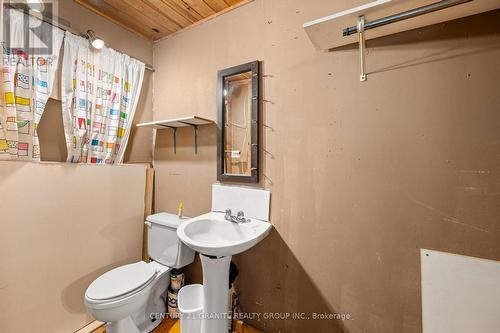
{"x": 63, "y": 225}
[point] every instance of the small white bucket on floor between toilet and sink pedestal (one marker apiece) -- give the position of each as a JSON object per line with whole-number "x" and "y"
{"x": 190, "y": 304}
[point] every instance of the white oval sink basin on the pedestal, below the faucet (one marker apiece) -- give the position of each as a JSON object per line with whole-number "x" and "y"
{"x": 210, "y": 234}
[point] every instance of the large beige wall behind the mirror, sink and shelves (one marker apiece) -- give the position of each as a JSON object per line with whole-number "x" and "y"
{"x": 362, "y": 174}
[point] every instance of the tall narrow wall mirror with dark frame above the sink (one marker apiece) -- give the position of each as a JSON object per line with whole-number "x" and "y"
{"x": 238, "y": 123}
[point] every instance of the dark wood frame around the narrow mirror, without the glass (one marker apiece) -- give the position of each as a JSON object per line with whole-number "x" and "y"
{"x": 254, "y": 67}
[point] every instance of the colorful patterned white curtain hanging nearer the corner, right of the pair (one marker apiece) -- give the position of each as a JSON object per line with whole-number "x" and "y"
{"x": 100, "y": 91}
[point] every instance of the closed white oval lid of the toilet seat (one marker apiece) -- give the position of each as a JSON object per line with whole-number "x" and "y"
{"x": 121, "y": 280}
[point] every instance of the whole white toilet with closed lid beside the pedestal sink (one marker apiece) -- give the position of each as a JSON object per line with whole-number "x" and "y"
{"x": 132, "y": 298}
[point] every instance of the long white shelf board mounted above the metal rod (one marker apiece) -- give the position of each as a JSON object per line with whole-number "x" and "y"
{"x": 327, "y": 32}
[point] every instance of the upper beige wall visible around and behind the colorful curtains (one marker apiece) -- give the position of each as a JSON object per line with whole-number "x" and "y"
{"x": 51, "y": 132}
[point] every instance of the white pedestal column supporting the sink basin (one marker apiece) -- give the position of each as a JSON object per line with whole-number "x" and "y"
{"x": 216, "y": 294}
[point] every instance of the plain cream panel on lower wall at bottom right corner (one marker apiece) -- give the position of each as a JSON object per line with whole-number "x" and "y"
{"x": 460, "y": 294}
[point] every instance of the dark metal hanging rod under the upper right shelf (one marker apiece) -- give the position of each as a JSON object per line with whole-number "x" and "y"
{"x": 405, "y": 15}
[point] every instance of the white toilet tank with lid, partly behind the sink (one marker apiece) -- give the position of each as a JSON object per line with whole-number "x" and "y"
{"x": 164, "y": 246}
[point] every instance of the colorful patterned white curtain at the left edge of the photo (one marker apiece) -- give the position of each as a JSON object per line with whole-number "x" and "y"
{"x": 28, "y": 73}
